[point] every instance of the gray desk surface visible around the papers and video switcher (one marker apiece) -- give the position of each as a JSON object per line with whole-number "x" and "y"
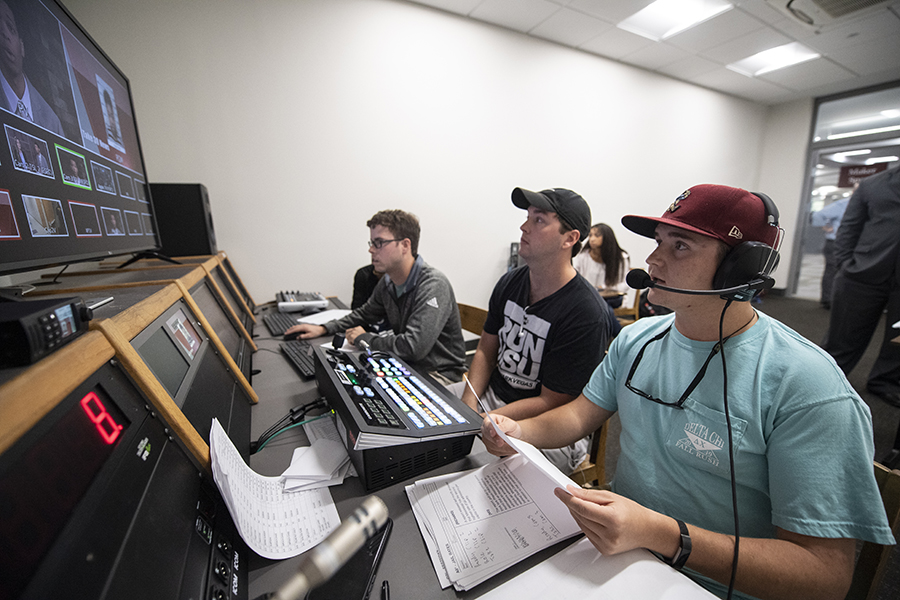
{"x": 406, "y": 563}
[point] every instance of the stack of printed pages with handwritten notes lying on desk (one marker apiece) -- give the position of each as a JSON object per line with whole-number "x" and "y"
{"x": 487, "y": 519}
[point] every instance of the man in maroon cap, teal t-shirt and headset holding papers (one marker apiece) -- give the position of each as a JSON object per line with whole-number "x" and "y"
{"x": 800, "y": 435}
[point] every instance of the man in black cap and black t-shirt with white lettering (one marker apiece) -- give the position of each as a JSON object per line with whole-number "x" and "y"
{"x": 546, "y": 329}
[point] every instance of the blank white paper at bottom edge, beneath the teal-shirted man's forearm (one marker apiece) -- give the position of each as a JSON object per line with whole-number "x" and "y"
{"x": 581, "y": 572}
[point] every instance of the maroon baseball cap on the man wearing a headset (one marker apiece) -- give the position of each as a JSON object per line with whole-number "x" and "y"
{"x": 729, "y": 214}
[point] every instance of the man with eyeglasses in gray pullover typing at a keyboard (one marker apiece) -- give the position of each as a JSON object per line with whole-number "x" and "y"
{"x": 416, "y": 298}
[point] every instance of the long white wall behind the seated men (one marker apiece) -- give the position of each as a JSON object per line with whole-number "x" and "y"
{"x": 304, "y": 117}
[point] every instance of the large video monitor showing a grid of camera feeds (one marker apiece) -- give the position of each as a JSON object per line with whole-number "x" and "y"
{"x": 72, "y": 181}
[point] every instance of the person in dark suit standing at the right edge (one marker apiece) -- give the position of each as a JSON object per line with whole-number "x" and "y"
{"x": 867, "y": 251}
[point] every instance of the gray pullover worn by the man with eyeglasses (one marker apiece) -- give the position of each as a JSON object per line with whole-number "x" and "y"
{"x": 426, "y": 331}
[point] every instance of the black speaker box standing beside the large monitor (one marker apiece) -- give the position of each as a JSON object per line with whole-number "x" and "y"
{"x": 184, "y": 219}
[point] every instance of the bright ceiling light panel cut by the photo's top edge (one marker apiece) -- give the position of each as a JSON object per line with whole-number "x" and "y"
{"x": 665, "y": 18}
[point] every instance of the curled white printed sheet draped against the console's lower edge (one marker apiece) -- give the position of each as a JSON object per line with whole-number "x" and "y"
{"x": 274, "y": 523}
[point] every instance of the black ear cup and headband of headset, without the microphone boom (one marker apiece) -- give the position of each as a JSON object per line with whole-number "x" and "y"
{"x": 749, "y": 261}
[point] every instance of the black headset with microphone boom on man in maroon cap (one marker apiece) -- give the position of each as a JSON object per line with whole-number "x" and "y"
{"x": 743, "y": 272}
